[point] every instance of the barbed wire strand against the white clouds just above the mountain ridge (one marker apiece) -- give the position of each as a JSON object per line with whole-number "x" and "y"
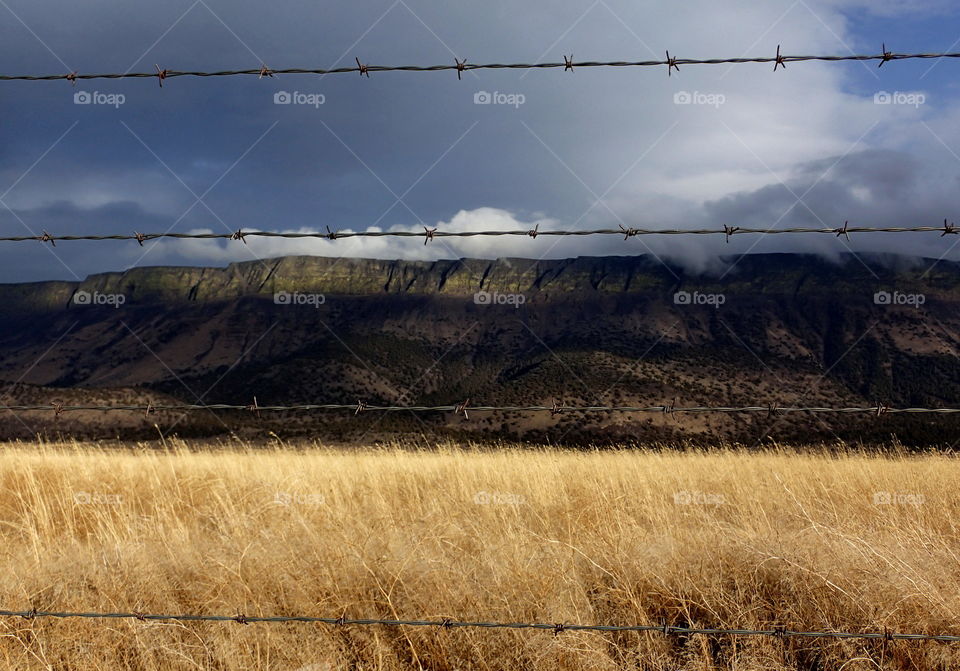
{"x": 429, "y": 234}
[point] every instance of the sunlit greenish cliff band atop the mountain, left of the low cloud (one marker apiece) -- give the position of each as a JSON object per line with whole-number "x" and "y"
{"x": 364, "y": 277}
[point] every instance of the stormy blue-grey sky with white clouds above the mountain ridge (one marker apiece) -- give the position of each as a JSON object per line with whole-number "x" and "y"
{"x": 805, "y": 146}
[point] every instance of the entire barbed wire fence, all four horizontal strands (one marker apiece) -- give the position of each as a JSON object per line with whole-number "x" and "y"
{"x": 568, "y": 64}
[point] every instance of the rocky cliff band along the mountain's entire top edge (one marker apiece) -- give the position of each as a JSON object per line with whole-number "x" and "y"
{"x": 457, "y": 277}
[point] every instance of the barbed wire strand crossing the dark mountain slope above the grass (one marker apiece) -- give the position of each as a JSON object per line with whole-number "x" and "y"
{"x": 464, "y": 407}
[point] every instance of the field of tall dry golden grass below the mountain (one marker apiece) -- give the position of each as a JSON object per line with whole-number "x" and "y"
{"x": 725, "y": 538}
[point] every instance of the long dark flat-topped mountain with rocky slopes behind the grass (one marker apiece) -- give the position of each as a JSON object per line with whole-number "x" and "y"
{"x": 778, "y": 328}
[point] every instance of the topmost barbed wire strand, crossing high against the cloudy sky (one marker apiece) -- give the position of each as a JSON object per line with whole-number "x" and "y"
{"x": 460, "y": 66}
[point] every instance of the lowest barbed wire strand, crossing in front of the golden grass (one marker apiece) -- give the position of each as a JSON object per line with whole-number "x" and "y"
{"x": 447, "y": 623}
